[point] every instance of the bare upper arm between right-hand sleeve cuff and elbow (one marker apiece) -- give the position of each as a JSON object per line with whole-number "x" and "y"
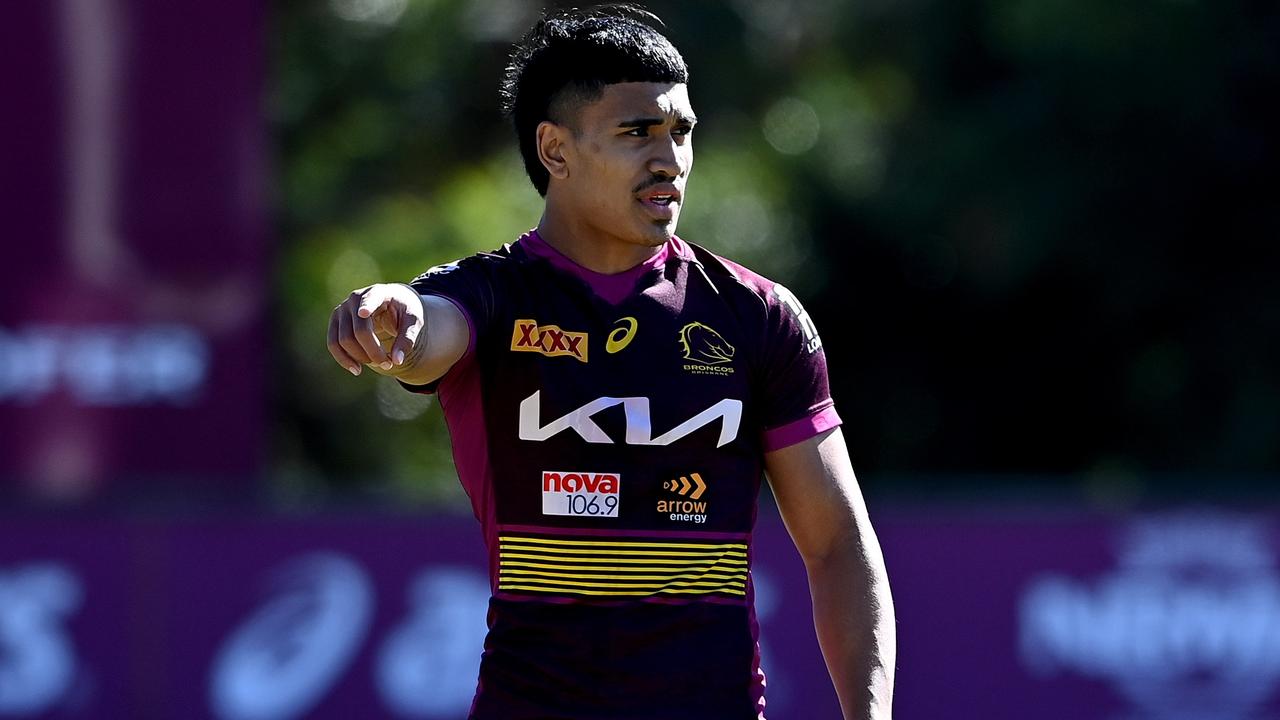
{"x": 817, "y": 493}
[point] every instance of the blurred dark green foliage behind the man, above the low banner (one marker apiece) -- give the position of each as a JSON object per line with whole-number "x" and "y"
{"x": 1036, "y": 236}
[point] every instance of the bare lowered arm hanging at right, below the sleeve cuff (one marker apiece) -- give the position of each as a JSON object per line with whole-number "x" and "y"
{"x": 824, "y": 509}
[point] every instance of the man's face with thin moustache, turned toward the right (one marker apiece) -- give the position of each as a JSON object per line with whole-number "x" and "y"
{"x": 628, "y": 162}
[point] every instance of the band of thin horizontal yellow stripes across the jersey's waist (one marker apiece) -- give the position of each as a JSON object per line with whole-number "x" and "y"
{"x": 620, "y": 568}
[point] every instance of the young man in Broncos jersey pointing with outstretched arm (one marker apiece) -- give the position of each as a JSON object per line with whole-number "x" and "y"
{"x": 614, "y": 395}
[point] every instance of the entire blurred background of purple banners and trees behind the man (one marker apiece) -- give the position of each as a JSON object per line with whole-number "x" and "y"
{"x": 1040, "y": 241}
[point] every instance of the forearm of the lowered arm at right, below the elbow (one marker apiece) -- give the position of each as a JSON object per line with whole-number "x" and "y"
{"x": 854, "y": 619}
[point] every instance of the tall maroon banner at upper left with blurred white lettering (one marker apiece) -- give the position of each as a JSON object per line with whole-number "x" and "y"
{"x": 131, "y": 311}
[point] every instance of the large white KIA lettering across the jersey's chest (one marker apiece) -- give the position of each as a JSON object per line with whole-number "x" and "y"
{"x": 639, "y": 425}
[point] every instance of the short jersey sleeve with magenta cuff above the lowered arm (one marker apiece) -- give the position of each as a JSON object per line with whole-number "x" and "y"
{"x": 798, "y": 403}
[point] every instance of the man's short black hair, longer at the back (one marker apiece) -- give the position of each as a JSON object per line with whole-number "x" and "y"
{"x": 569, "y": 57}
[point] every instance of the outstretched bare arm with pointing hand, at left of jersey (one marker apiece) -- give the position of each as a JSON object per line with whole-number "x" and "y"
{"x": 397, "y": 332}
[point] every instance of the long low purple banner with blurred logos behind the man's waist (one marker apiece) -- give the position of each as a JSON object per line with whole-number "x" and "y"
{"x": 1165, "y": 617}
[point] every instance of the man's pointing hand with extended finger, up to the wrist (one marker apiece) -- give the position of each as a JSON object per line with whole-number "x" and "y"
{"x": 377, "y": 326}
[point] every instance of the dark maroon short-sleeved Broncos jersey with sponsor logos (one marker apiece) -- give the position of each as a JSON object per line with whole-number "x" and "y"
{"x": 610, "y": 432}
